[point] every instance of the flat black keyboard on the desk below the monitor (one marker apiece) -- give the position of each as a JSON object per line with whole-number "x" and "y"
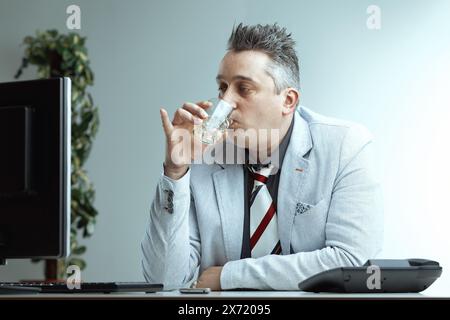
{"x": 85, "y": 287}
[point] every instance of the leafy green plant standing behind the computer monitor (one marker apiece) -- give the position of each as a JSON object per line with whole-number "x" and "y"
{"x": 65, "y": 55}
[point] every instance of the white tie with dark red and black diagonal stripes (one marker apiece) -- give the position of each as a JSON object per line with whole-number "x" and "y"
{"x": 264, "y": 237}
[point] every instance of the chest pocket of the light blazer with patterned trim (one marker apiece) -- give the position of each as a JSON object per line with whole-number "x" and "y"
{"x": 308, "y": 231}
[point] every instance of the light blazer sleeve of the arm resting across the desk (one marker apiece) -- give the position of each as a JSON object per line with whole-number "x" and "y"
{"x": 353, "y": 229}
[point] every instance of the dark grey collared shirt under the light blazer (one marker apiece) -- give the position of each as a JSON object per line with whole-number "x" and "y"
{"x": 272, "y": 186}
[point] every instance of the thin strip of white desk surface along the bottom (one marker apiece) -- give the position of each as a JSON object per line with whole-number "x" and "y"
{"x": 266, "y": 295}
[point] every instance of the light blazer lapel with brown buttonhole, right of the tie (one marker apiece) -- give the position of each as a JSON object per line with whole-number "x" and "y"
{"x": 294, "y": 172}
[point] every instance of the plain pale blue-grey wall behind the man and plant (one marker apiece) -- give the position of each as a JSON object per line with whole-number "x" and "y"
{"x": 148, "y": 54}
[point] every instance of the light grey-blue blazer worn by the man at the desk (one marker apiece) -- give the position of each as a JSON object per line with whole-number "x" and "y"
{"x": 329, "y": 213}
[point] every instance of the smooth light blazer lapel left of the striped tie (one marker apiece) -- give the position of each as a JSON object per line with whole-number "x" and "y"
{"x": 229, "y": 188}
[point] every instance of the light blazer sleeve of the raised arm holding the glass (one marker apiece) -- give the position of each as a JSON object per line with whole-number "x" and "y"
{"x": 171, "y": 243}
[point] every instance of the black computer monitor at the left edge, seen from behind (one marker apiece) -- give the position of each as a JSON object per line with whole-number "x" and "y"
{"x": 35, "y": 146}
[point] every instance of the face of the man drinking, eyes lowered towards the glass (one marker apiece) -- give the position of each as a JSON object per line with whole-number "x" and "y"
{"x": 244, "y": 82}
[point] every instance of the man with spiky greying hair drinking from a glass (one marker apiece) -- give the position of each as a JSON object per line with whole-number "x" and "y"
{"x": 228, "y": 226}
